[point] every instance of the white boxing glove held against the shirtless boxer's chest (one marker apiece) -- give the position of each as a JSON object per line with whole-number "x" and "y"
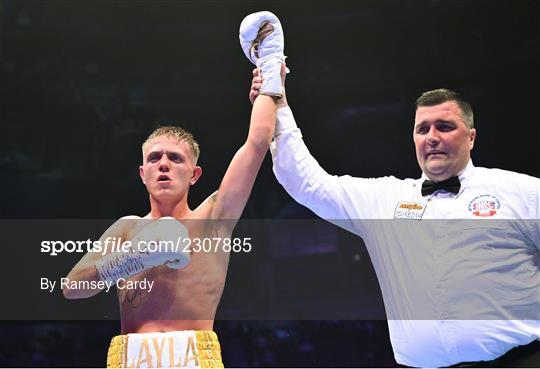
{"x": 158, "y": 243}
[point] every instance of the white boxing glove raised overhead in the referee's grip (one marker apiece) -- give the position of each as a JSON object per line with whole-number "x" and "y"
{"x": 264, "y": 50}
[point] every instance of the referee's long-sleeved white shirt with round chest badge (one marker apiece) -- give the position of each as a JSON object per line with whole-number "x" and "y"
{"x": 459, "y": 274}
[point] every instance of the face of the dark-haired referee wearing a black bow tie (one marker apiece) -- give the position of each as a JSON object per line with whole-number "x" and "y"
{"x": 443, "y": 140}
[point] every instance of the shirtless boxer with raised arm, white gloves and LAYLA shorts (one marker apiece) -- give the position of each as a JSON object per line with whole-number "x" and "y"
{"x": 172, "y": 325}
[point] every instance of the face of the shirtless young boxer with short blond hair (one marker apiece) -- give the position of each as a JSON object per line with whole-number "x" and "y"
{"x": 168, "y": 168}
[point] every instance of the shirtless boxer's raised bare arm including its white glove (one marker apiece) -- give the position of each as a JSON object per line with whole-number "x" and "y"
{"x": 261, "y": 38}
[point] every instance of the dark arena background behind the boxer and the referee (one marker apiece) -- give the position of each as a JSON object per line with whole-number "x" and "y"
{"x": 82, "y": 83}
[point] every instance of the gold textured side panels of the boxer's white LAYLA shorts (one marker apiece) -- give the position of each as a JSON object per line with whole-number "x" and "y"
{"x": 208, "y": 350}
